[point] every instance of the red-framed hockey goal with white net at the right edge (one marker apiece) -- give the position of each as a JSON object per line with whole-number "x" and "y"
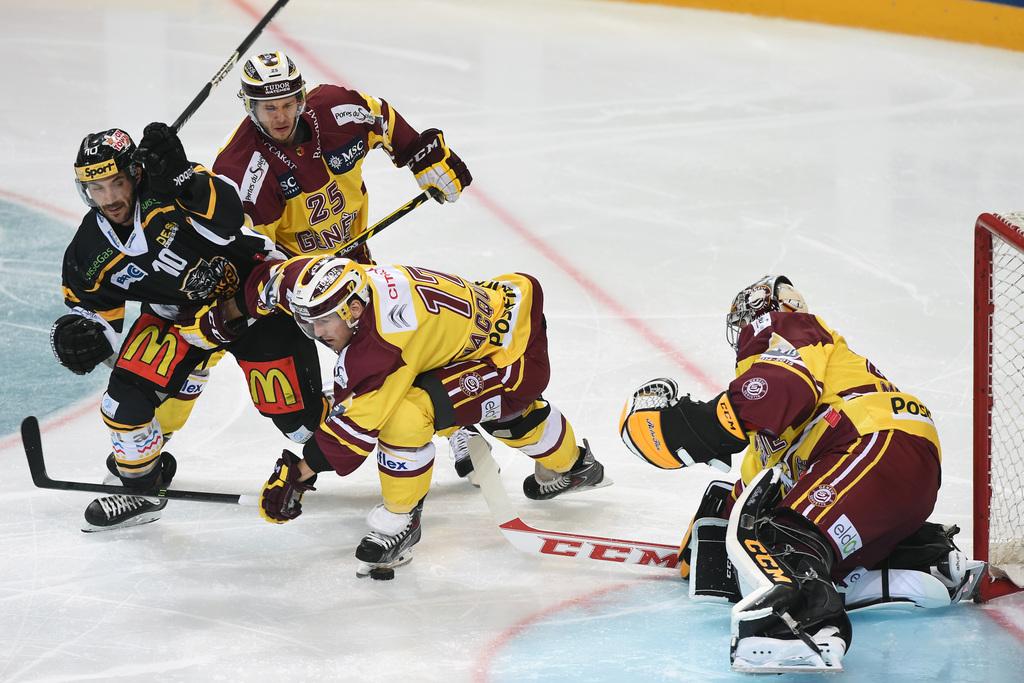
{"x": 999, "y": 400}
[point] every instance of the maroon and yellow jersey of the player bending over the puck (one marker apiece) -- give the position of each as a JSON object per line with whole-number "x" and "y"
{"x": 418, "y": 320}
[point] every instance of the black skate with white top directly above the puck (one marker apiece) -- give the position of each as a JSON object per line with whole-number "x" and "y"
{"x": 390, "y": 543}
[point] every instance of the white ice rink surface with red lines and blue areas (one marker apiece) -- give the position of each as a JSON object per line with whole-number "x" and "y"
{"x": 646, "y": 163}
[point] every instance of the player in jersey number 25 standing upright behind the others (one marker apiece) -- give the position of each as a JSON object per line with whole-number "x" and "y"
{"x": 297, "y": 160}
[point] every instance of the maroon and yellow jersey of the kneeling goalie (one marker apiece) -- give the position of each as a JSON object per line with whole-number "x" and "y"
{"x": 801, "y": 393}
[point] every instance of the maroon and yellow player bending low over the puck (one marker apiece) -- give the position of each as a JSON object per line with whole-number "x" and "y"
{"x": 420, "y": 352}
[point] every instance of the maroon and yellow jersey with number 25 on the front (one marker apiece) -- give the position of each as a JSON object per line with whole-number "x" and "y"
{"x": 310, "y": 198}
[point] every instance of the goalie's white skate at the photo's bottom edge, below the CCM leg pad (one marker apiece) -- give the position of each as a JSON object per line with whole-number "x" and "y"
{"x": 759, "y": 655}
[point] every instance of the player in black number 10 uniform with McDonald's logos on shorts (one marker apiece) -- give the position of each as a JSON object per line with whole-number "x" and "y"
{"x": 170, "y": 235}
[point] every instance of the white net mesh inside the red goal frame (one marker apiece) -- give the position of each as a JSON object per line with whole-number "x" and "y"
{"x": 1007, "y": 460}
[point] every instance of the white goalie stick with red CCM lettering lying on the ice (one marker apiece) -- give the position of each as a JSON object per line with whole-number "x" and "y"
{"x": 563, "y": 544}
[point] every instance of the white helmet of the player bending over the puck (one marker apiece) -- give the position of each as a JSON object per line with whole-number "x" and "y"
{"x": 327, "y": 287}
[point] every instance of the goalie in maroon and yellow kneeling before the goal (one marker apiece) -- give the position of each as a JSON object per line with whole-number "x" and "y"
{"x": 841, "y": 473}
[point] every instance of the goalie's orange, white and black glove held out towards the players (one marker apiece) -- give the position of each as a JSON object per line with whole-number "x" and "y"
{"x": 669, "y": 432}
